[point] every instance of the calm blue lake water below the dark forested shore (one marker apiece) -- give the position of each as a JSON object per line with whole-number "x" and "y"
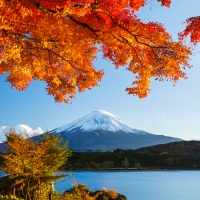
{"x": 140, "y": 185}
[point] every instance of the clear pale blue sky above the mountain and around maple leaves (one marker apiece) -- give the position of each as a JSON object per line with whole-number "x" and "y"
{"x": 168, "y": 110}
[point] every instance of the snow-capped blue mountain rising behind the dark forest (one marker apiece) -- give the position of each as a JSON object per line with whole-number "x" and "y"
{"x": 100, "y": 130}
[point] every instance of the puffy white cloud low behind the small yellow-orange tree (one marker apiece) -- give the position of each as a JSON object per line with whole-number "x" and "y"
{"x": 20, "y": 128}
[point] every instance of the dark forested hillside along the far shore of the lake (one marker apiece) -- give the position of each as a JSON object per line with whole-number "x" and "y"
{"x": 184, "y": 155}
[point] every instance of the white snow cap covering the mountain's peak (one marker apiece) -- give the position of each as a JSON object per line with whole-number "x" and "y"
{"x": 97, "y": 120}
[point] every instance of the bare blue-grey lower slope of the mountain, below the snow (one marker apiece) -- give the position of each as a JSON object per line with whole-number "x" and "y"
{"x": 105, "y": 140}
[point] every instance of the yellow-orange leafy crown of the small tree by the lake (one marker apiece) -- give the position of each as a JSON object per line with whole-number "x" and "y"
{"x": 35, "y": 159}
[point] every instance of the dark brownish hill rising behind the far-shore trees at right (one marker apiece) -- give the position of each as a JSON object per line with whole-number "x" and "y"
{"x": 191, "y": 147}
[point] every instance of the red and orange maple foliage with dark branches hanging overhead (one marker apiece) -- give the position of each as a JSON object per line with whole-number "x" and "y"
{"x": 56, "y": 41}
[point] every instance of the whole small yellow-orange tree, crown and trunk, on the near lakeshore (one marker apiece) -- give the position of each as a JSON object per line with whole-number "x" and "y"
{"x": 32, "y": 164}
